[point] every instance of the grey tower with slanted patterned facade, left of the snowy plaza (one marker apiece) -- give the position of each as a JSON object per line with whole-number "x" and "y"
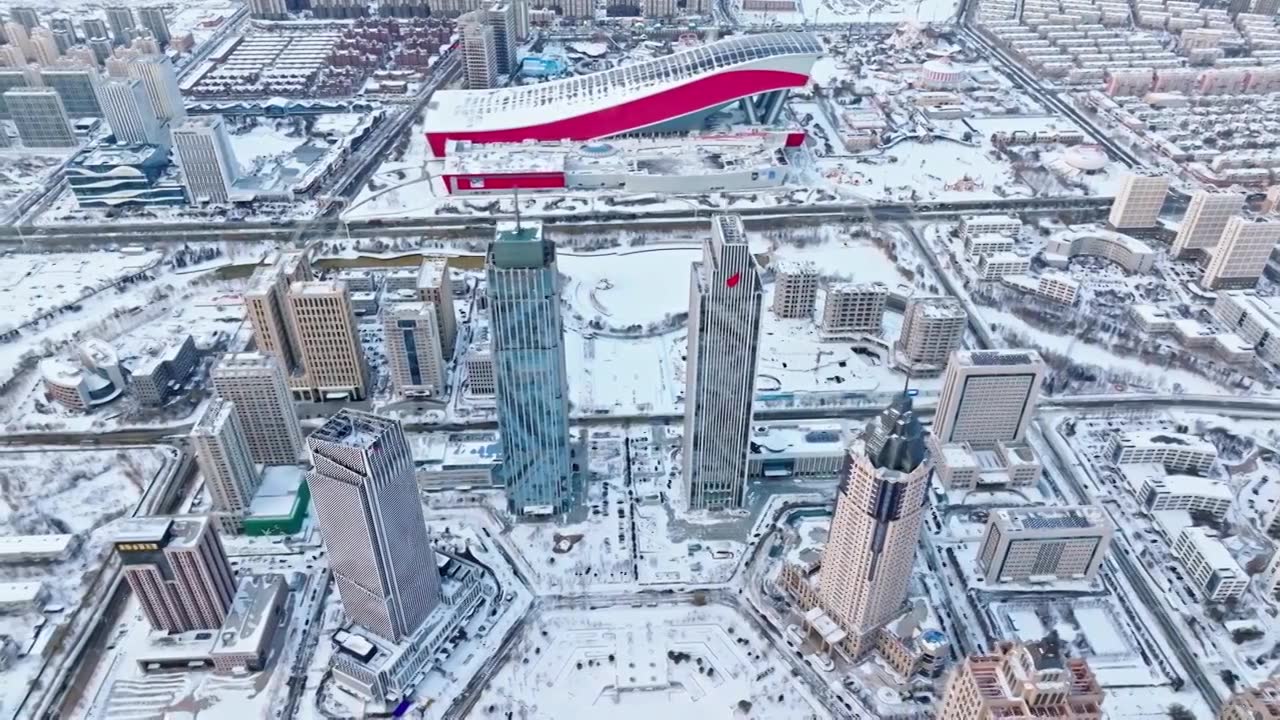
{"x": 371, "y": 517}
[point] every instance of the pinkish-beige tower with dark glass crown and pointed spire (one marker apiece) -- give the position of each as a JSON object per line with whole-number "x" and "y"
{"x": 871, "y": 550}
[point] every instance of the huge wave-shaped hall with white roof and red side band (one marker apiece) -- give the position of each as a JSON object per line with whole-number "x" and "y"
{"x": 670, "y": 94}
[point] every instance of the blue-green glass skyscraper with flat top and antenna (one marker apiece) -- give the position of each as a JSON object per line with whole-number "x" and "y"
{"x": 531, "y": 379}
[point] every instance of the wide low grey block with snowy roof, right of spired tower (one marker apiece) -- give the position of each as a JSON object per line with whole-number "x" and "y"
{"x": 1034, "y": 545}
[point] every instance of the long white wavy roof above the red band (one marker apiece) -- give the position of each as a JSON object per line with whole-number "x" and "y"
{"x": 551, "y": 102}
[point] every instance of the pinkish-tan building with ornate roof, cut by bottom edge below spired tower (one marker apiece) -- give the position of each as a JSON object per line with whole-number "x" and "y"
{"x": 1022, "y": 681}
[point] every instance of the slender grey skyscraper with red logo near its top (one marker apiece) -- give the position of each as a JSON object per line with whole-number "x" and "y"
{"x": 725, "y": 307}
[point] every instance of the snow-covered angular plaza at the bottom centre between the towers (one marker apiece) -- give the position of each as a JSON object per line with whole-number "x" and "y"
{"x": 680, "y": 663}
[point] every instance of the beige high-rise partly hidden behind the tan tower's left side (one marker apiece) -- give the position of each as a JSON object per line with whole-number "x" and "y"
{"x": 268, "y": 311}
